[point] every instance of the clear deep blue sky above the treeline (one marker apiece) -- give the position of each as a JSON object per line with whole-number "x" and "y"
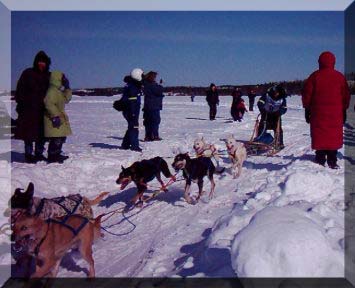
{"x": 96, "y": 49}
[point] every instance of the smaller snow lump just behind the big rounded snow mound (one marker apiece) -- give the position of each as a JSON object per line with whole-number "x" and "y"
{"x": 307, "y": 186}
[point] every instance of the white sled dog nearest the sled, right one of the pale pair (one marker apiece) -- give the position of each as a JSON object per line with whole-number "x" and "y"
{"x": 237, "y": 153}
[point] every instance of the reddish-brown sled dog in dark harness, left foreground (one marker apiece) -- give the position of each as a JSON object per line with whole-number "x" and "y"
{"x": 49, "y": 241}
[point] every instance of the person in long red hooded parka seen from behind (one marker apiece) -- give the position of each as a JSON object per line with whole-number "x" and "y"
{"x": 326, "y": 98}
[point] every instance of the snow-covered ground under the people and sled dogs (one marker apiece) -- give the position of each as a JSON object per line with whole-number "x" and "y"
{"x": 284, "y": 217}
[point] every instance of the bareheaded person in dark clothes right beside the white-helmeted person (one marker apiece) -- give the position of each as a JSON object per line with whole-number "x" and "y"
{"x": 153, "y": 104}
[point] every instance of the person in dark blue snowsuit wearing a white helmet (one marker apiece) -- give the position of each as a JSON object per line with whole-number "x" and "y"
{"x": 132, "y": 93}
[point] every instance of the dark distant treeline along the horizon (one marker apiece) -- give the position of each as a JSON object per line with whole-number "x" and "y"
{"x": 292, "y": 88}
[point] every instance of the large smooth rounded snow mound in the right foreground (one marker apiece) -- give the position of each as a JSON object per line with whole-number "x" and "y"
{"x": 284, "y": 242}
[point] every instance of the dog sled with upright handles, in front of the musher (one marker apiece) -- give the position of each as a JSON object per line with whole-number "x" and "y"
{"x": 265, "y": 143}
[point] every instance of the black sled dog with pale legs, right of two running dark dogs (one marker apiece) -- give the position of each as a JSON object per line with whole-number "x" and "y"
{"x": 194, "y": 170}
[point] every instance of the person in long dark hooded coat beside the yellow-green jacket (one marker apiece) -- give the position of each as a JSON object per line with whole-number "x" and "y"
{"x": 30, "y": 92}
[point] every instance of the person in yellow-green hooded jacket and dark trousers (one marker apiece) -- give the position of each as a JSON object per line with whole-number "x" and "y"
{"x": 56, "y": 121}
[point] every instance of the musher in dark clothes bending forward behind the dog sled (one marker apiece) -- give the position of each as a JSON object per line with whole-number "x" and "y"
{"x": 272, "y": 106}
